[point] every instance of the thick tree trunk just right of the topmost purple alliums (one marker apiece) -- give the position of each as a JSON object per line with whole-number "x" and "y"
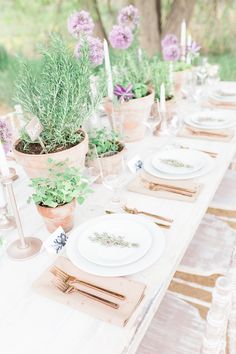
{"x": 149, "y": 27}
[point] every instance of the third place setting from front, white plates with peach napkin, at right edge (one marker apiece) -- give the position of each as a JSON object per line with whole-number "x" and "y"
{"x": 208, "y": 124}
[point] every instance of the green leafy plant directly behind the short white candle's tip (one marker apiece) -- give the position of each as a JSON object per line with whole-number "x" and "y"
{"x": 160, "y": 74}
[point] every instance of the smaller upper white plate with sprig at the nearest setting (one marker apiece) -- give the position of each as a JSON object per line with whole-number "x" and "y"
{"x": 132, "y": 231}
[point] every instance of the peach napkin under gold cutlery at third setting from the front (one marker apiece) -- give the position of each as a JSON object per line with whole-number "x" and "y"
{"x": 188, "y": 132}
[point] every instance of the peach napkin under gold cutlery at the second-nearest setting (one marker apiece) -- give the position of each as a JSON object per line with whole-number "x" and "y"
{"x": 142, "y": 182}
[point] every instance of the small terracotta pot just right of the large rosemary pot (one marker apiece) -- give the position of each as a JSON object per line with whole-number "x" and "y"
{"x": 109, "y": 164}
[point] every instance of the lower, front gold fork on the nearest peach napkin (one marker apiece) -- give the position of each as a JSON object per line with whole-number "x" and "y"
{"x": 69, "y": 289}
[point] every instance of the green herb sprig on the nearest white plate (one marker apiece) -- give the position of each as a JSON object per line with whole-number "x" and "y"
{"x": 110, "y": 240}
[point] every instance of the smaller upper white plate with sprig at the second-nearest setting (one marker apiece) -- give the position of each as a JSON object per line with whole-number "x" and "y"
{"x": 170, "y": 161}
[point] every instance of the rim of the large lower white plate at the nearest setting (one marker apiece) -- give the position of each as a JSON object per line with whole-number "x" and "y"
{"x": 151, "y": 257}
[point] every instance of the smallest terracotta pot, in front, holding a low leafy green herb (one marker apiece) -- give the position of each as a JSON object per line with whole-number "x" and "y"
{"x": 60, "y": 216}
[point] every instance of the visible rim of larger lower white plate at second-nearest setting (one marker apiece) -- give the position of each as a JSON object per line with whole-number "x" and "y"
{"x": 208, "y": 166}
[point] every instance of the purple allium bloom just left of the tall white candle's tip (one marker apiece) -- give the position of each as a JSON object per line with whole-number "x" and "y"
{"x": 95, "y": 50}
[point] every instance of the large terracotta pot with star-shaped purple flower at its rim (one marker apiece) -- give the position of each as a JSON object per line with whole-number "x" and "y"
{"x": 134, "y": 114}
